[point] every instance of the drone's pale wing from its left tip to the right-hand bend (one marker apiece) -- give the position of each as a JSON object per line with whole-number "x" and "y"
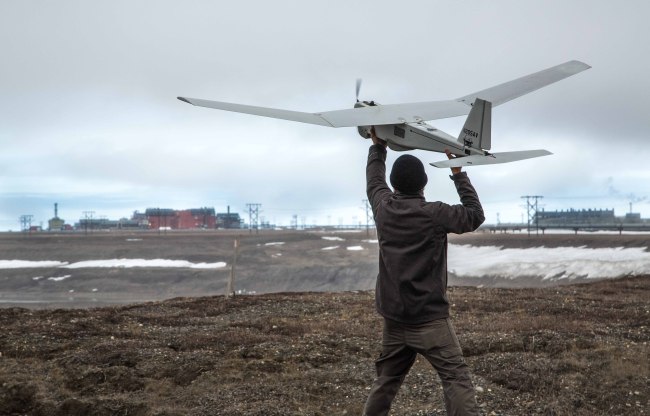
{"x": 352, "y": 117}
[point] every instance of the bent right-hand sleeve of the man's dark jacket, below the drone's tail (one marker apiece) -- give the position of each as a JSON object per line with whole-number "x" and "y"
{"x": 468, "y": 215}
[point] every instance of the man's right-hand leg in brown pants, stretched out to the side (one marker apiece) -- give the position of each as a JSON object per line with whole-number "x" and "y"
{"x": 444, "y": 353}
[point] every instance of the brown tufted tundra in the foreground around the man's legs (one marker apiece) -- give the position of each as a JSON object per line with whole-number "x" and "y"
{"x": 568, "y": 350}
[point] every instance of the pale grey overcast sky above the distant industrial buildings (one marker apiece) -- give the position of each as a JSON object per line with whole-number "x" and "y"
{"x": 89, "y": 116}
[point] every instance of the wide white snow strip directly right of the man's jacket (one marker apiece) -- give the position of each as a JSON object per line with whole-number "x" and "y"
{"x": 548, "y": 263}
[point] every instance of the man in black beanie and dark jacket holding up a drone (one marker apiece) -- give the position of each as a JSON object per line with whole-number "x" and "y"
{"x": 412, "y": 281}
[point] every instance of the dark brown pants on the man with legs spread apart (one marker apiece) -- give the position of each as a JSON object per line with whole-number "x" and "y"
{"x": 437, "y": 342}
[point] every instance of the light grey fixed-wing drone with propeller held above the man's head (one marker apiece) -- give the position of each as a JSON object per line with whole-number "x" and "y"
{"x": 403, "y": 126}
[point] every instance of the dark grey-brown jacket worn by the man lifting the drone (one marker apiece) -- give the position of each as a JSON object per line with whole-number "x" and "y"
{"x": 412, "y": 282}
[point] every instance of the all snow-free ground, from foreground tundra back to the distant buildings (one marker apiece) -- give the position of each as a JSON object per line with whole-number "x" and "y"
{"x": 579, "y": 349}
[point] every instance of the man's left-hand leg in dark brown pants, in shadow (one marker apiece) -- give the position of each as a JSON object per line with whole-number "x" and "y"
{"x": 392, "y": 366}
